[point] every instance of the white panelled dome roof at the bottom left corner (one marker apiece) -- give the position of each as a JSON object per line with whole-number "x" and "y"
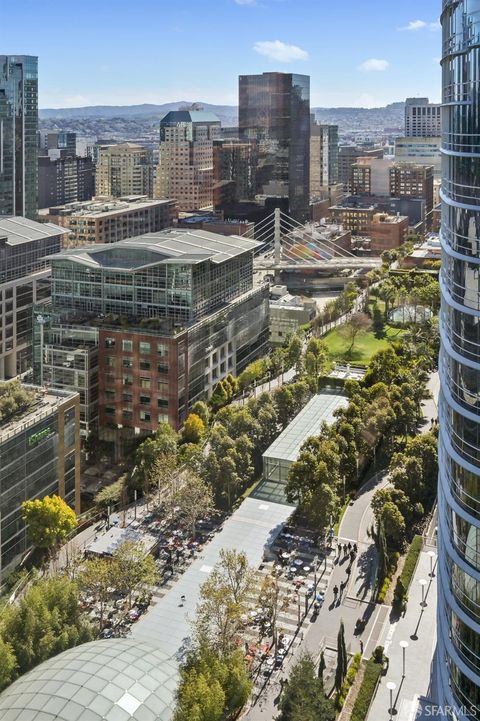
{"x": 110, "y": 680}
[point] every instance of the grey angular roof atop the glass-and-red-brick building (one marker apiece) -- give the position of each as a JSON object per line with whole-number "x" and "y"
{"x": 170, "y": 245}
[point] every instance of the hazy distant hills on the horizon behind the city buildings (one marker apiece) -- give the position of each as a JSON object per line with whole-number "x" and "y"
{"x": 389, "y": 116}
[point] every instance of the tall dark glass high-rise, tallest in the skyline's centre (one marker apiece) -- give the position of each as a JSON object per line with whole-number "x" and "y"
{"x": 274, "y": 109}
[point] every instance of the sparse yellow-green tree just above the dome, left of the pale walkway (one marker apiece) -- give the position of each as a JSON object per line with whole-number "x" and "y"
{"x": 134, "y": 568}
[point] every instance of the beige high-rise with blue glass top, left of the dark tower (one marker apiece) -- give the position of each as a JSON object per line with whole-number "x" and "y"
{"x": 185, "y": 170}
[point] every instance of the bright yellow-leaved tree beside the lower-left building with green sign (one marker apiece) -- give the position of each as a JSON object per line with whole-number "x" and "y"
{"x": 49, "y": 521}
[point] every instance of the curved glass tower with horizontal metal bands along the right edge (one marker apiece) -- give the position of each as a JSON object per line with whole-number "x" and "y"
{"x": 459, "y": 411}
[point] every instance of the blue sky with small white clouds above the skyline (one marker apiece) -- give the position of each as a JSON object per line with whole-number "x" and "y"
{"x": 357, "y": 52}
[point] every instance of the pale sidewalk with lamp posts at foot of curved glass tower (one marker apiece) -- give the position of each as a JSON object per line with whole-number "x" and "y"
{"x": 418, "y": 629}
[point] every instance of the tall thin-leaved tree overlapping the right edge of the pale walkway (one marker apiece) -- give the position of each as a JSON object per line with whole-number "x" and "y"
{"x": 223, "y": 601}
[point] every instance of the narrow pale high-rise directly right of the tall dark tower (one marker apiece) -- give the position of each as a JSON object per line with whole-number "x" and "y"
{"x": 323, "y": 158}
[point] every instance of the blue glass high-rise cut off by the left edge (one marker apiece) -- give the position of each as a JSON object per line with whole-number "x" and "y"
{"x": 18, "y": 134}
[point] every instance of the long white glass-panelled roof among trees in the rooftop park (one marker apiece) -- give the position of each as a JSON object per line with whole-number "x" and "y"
{"x": 320, "y": 409}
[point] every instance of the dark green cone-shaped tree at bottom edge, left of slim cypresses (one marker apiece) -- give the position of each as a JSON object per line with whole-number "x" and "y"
{"x": 303, "y": 698}
